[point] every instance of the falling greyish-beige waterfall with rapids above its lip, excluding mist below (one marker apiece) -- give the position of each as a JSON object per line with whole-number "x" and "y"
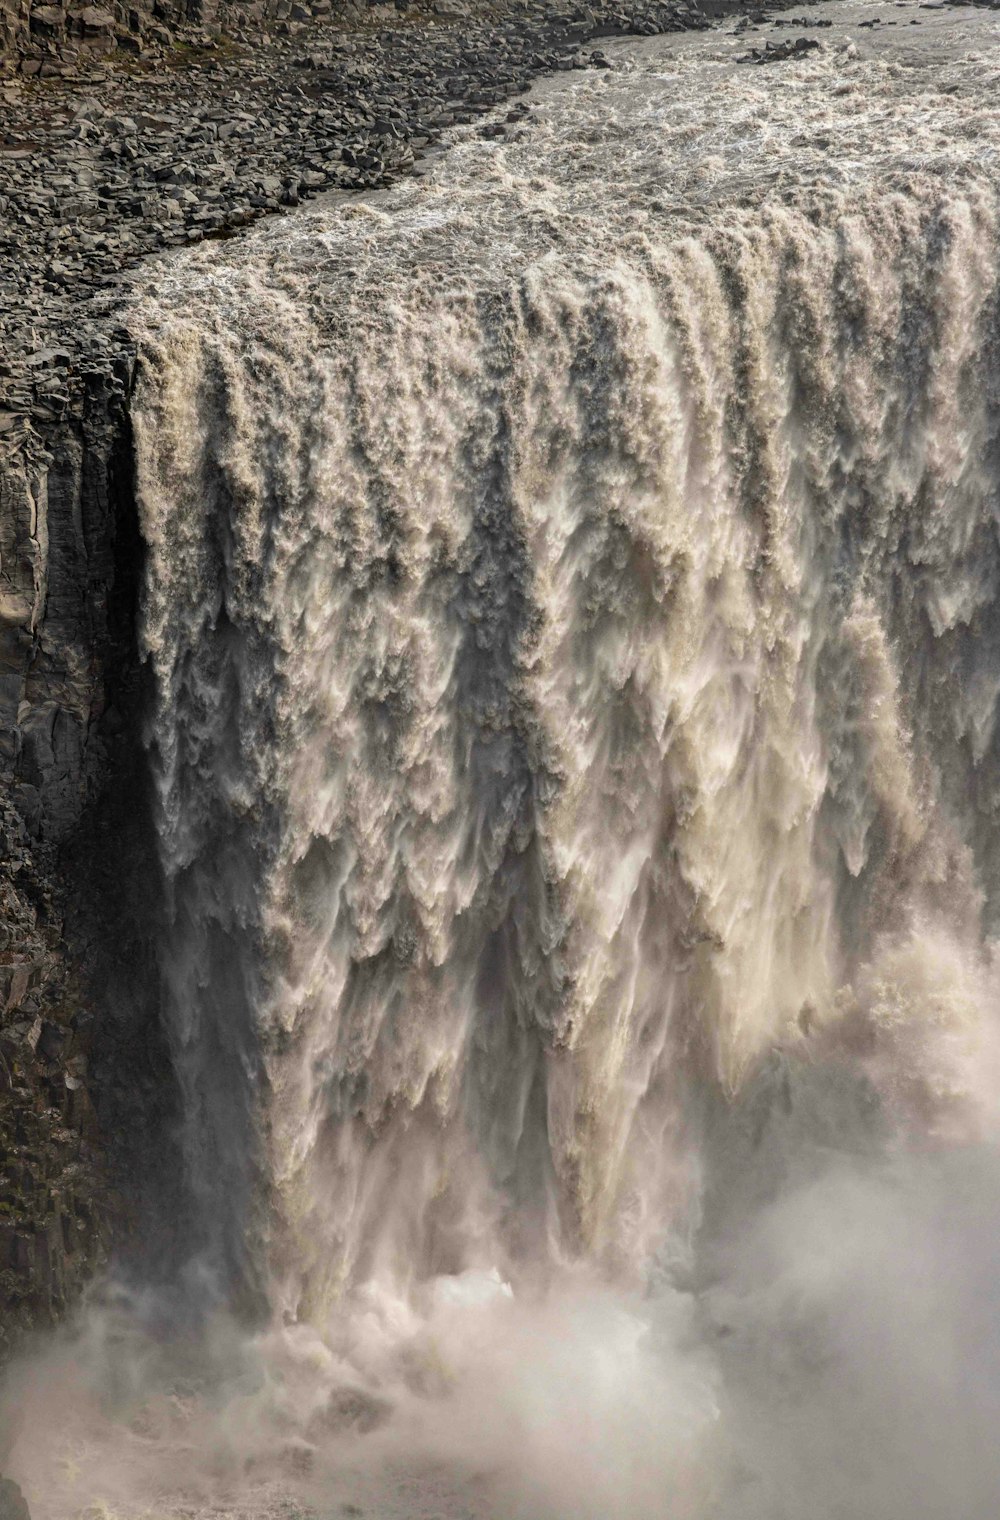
{"x": 572, "y": 600}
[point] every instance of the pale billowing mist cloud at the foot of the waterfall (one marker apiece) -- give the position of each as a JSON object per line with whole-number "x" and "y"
{"x": 837, "y": 1354}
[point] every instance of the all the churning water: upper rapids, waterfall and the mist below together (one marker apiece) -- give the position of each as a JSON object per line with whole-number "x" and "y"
{"x": 574, "y": 601}
